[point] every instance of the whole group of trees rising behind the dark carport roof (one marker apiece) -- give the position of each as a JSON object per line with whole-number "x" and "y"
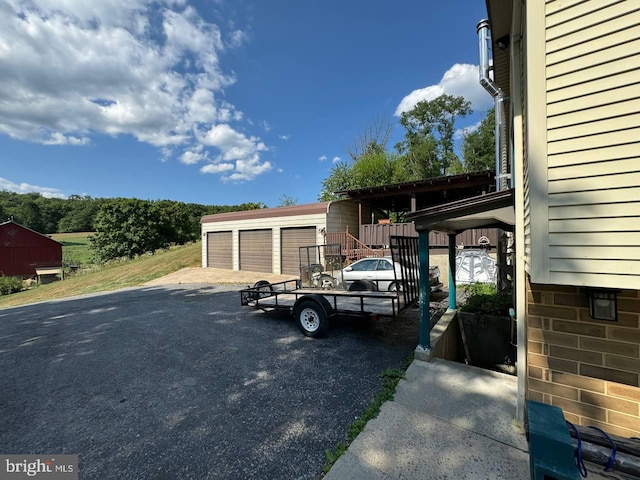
{"x": 426, "y": 151}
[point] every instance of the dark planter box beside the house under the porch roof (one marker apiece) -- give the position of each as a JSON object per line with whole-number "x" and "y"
{"x": 487, "y": 341}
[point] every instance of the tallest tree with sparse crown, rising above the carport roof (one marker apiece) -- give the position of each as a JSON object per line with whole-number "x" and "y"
{"x": 429, "y": 131}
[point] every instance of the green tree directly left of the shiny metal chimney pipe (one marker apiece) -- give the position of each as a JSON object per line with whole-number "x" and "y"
{"x": 478, "y": 147}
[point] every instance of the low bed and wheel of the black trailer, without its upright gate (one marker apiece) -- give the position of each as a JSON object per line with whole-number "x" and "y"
{"x": 313, "y": 309}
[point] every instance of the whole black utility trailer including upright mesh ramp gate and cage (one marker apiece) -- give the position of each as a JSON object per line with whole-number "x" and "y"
{"x": 318, "y": 295}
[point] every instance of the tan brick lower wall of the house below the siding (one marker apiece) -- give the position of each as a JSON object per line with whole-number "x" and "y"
{"x": 589, "y": 368}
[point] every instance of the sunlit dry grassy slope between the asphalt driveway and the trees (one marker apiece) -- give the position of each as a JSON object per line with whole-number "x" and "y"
{"x": 112, "y": 277}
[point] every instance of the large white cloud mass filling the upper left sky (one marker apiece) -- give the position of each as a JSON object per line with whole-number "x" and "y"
{"x": 74, "y": 69}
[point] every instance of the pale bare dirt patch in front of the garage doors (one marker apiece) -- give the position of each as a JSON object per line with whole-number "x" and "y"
{"x": 220, "y": 276}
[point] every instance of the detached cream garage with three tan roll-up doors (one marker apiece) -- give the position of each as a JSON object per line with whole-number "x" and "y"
{"x": 268, "y": 240}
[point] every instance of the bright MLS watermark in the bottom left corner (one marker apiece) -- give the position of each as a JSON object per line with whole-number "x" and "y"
{"x": 48, "y": 467}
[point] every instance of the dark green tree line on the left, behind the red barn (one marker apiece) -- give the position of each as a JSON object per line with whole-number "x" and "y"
{"x": 123, "y": 227}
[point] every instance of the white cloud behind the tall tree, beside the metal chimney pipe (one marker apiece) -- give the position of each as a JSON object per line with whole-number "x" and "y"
{"x": 459, "y": 80}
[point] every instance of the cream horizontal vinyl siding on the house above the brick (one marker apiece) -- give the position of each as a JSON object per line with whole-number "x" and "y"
{"x": 592, "y": 179}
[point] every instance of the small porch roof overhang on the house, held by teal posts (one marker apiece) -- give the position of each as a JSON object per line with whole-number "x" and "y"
{"x": 493, "y": 210}
